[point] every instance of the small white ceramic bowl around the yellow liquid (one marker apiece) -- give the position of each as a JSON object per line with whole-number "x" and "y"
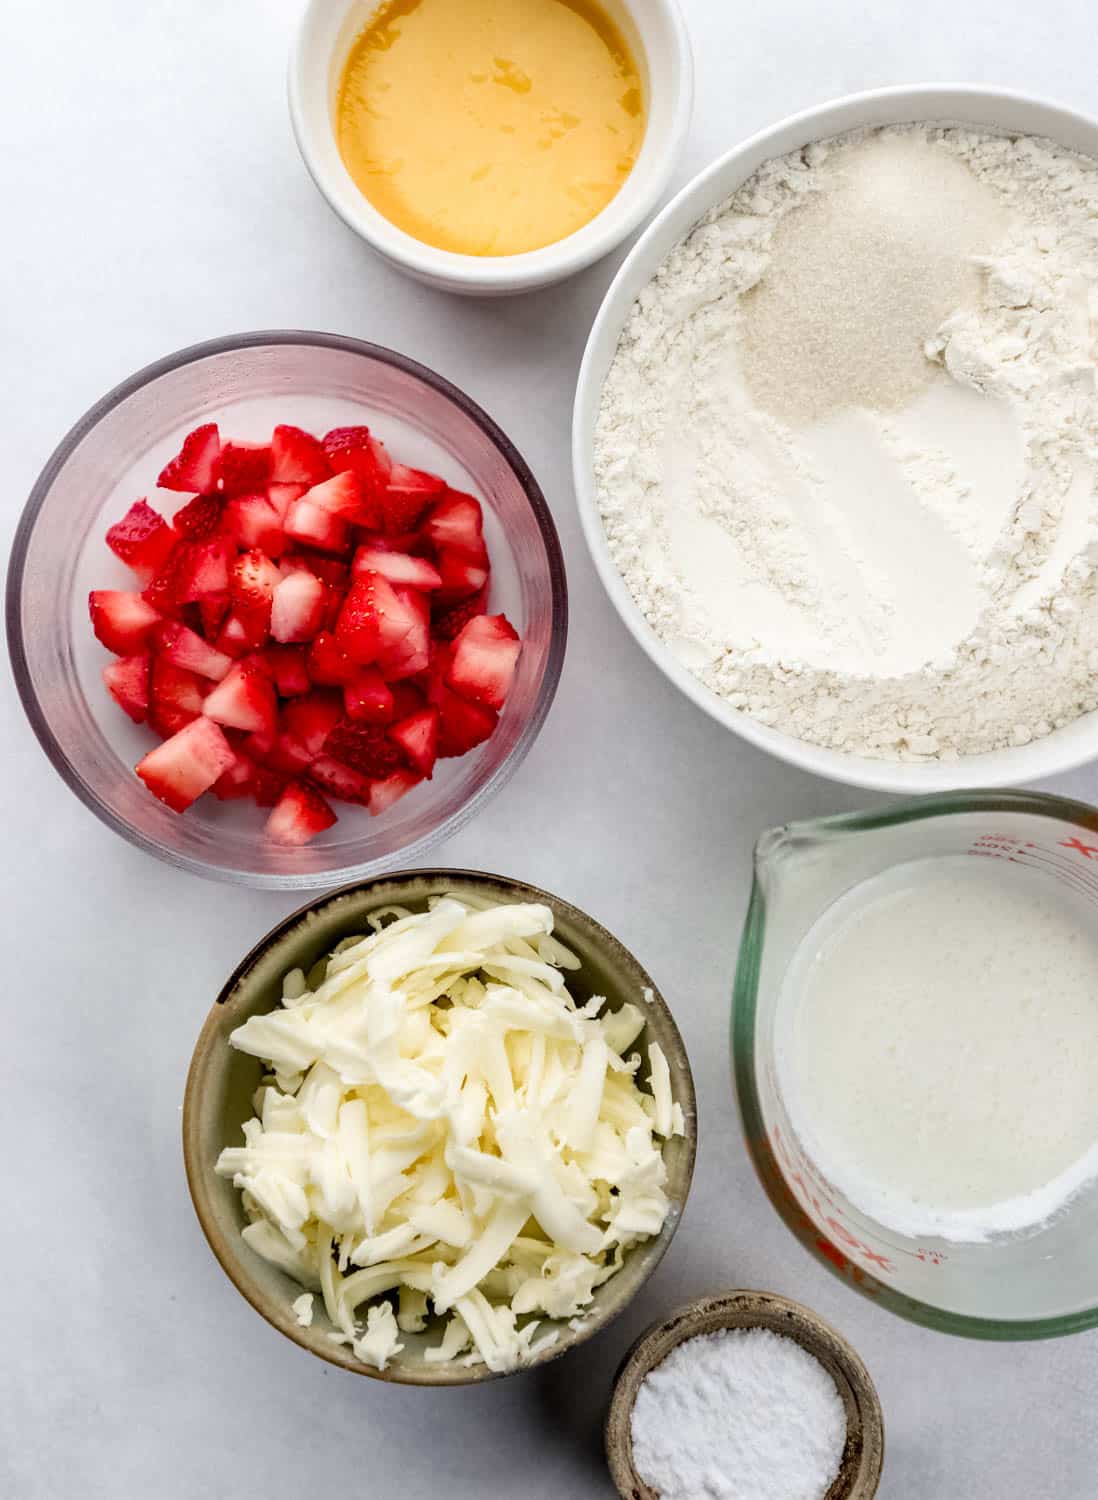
{"x": 658, "y": 35}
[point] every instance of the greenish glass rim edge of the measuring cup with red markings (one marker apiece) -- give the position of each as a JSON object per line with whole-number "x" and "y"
{"x": 742, "y": 1039}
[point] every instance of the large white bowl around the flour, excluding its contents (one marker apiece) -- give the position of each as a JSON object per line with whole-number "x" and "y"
{"x": 985, "y": 109}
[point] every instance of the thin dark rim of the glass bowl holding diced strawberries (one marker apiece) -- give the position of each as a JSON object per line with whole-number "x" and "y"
{"x": 193, "y": 355}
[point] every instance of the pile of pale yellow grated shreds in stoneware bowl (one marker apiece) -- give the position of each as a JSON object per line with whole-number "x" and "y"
{"x": 442, "y": 1124}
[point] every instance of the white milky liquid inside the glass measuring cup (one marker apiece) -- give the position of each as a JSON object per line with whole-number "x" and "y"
{"x": 938, "y": 1049}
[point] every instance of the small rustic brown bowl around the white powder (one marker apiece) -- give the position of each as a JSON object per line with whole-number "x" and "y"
{"x": 863, "y": 1457}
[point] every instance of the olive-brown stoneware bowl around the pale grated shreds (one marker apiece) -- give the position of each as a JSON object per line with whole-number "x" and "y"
{"x": 221, "y": 1085}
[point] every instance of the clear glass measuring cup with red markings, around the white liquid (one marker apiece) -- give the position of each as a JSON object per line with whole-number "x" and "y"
{"x": 1034, "y": 1285}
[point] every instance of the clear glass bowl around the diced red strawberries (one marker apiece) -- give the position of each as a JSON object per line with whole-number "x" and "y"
{"x": 113, "y": 455}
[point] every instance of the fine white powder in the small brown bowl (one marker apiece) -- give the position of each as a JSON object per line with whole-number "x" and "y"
{"x": 739, "y": 1415}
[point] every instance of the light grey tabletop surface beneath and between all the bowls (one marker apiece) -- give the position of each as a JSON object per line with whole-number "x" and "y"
{"x": 151, "y": 196}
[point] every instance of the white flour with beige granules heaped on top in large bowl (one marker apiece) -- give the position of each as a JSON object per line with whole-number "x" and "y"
{"x": 862, "y": 505}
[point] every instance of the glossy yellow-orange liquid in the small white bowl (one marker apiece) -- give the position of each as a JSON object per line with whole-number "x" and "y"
{"x": 490, "y": 127}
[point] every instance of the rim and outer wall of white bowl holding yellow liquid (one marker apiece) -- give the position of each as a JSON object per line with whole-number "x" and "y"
{"x": 505, "y": 274}
